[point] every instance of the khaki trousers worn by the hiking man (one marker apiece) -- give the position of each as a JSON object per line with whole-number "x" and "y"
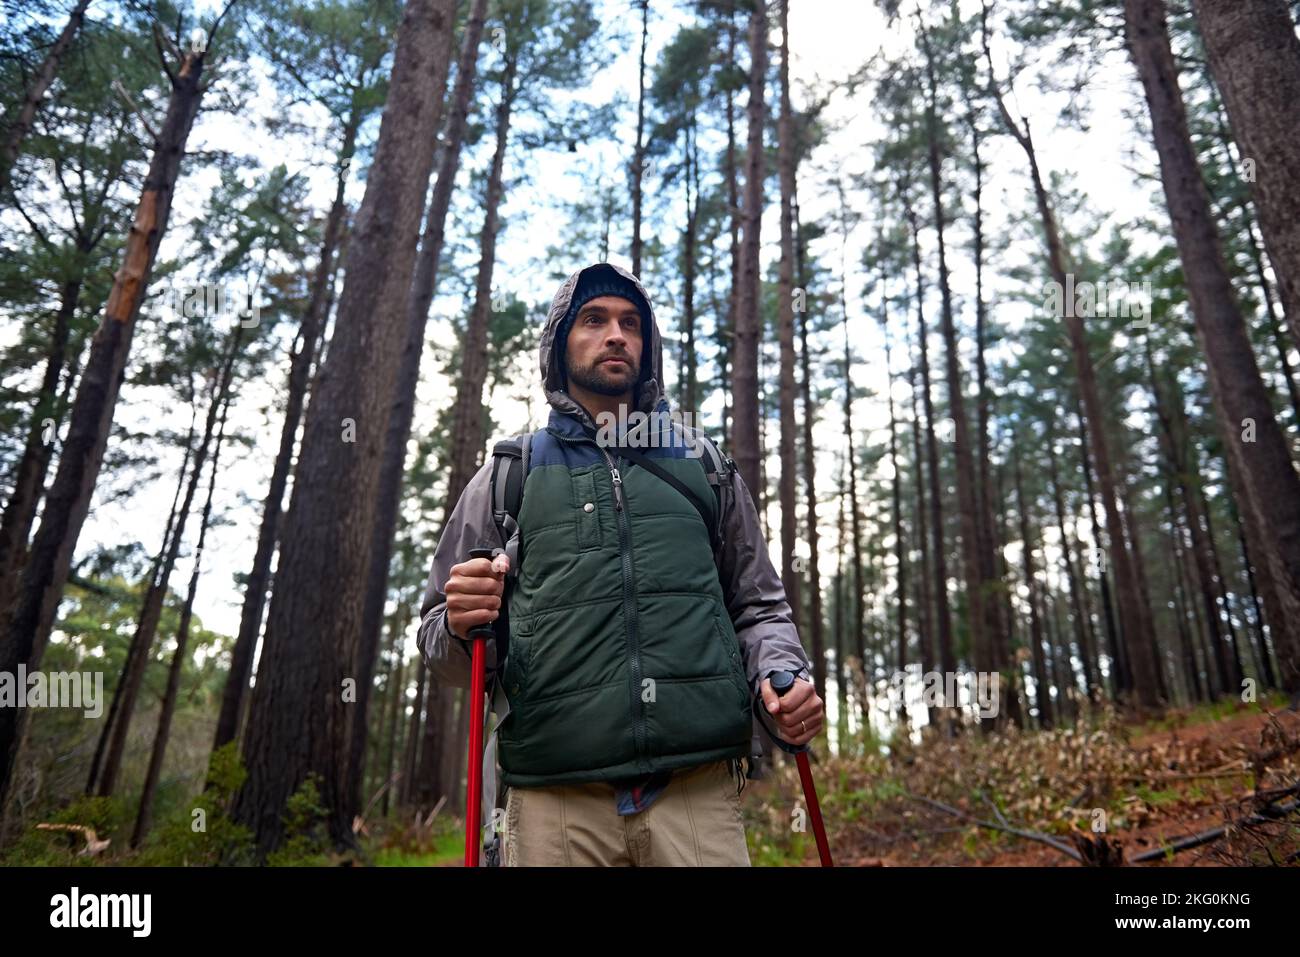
{"x": 695, "y": 822}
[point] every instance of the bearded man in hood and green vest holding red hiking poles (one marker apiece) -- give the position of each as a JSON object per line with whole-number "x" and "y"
{"x": 635, "y": 652}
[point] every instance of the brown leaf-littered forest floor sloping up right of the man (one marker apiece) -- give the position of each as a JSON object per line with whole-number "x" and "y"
{"x": 1106, "y": 791}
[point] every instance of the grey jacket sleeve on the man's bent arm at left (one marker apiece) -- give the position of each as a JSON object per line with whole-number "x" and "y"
{"x": 469, "y": 526}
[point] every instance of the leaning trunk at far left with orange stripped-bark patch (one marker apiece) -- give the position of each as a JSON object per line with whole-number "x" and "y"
{"x": 92, "y": 417}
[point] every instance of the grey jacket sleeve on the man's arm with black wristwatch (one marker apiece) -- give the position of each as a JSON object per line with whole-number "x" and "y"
{"x": 756, "y": 597}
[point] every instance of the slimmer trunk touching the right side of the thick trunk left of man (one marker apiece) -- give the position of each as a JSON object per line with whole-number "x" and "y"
{"x": 404, "y": 402}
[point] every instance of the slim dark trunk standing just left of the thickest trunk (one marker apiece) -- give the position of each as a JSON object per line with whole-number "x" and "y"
{"x": 300, "y": 369}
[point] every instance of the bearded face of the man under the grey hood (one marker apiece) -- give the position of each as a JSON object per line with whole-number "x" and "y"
{"x": 604, "y": 349}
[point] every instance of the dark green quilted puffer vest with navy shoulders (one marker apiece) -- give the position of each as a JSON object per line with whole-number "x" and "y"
{"x": 623, "y": 659}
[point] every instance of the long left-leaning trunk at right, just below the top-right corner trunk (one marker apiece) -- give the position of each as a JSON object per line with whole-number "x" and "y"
{"x": 1242, "y": 402}
